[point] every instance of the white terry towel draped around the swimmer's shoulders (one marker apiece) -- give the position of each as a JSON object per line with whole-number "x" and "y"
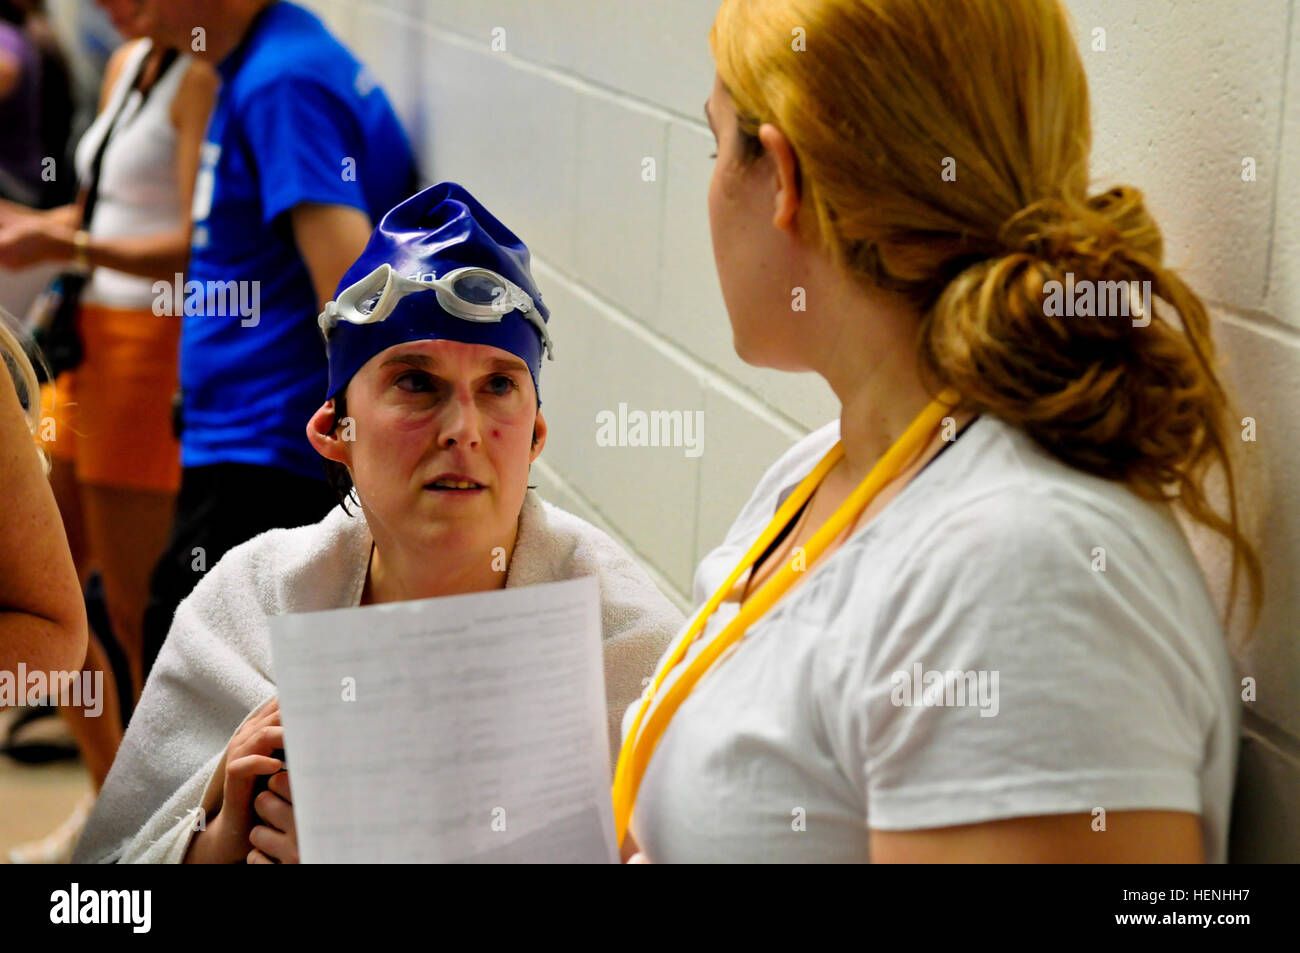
{"x": 215, "y": 668}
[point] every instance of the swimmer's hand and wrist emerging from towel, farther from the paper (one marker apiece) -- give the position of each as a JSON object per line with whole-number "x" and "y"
{"x": 226, "y": 839}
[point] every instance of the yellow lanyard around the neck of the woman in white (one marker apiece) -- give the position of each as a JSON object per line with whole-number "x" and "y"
{"x": 639, "y": 746}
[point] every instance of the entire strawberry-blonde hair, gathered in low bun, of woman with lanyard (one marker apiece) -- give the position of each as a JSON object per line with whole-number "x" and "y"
{"x": 889, "y": 96}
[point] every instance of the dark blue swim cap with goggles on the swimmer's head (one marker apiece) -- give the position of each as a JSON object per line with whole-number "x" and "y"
{"x": 440, "y": 267}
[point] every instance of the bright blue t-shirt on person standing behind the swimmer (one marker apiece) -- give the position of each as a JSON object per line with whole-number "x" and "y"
{"x": 298, "y": 120}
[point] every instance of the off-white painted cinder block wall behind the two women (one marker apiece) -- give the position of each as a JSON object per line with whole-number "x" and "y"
{"x": 579, "y": 122}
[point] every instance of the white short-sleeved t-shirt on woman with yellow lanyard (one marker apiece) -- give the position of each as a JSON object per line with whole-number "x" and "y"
{"x": 1091, "y": 660}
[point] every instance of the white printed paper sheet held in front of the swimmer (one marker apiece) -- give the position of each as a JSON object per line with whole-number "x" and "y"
{"x": 467, "y": 729}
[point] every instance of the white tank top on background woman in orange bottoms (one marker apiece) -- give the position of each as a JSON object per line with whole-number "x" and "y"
{"x": 140, "y": 190}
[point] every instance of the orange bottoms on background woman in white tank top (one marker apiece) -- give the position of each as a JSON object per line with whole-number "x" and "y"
{"x": 112, "y": 415}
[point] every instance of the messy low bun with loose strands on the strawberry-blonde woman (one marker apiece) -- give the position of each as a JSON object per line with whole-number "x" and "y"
{"x": 1128, "y": 391}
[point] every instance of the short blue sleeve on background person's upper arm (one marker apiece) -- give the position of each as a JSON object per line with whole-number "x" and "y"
{"x": 305, "y": 142}
